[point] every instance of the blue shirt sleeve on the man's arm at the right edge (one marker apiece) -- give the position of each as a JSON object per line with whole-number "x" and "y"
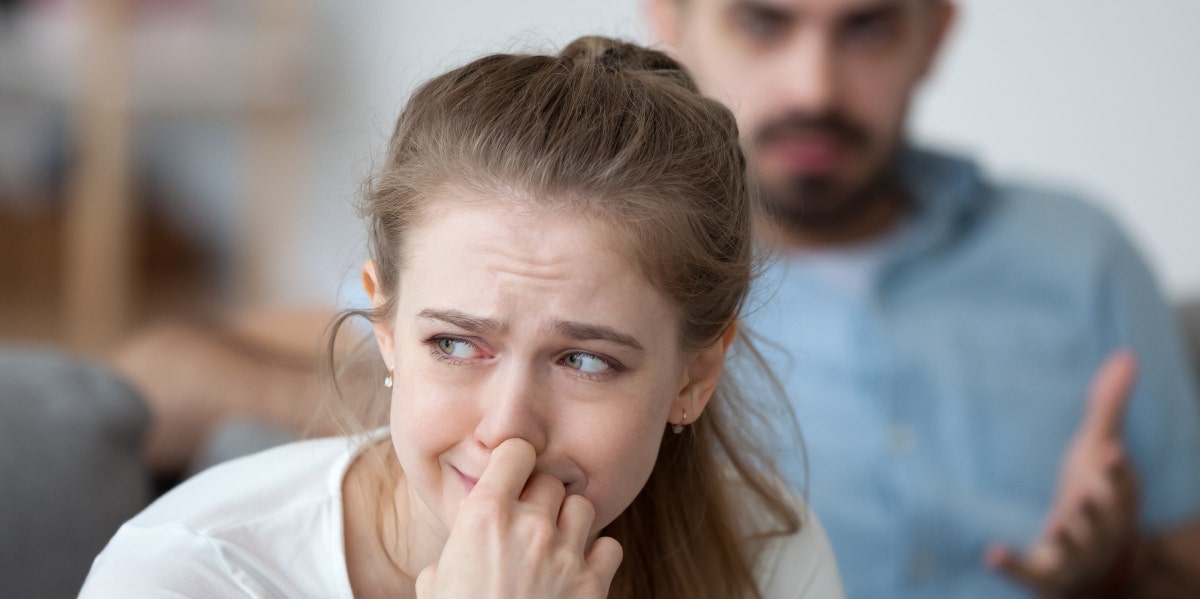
{"x": 1162, "y": 424}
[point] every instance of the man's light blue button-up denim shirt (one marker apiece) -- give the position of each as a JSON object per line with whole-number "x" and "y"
{"x": 938, "y": 399}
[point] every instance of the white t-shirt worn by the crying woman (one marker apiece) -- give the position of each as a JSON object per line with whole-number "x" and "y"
{"x": 271, "y": 525}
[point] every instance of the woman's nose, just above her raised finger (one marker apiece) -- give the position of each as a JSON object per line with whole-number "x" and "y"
{"x": 513, "y": 406}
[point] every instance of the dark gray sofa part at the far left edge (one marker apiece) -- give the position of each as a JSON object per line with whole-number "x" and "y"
{"x": 64, "y": 495}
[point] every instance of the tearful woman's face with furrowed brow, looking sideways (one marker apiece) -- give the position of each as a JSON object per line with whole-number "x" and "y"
{"x": 531, "y": 326}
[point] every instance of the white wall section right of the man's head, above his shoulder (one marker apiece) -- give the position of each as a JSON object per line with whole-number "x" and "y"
{"x": 1099, "y": 95}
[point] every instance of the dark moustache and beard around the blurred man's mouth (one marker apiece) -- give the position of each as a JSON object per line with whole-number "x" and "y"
{"x": 824, "y": 203}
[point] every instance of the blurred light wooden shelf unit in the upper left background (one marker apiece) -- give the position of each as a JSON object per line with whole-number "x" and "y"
{"x": 111, "y": 67}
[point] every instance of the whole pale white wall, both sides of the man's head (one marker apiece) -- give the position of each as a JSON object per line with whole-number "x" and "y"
{"x": 1094, "y": 95}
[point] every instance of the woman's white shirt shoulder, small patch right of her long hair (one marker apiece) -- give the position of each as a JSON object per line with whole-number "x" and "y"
{"x": 801, "y": 566}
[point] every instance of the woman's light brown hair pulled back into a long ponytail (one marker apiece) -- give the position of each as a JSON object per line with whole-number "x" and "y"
{"x": 620, "y": 134}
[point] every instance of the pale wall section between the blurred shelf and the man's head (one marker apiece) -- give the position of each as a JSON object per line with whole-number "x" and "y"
{"x": 385, "y": 49}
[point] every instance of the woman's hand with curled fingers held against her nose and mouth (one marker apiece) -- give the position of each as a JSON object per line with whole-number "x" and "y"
{"x": 521, "y": 537}
